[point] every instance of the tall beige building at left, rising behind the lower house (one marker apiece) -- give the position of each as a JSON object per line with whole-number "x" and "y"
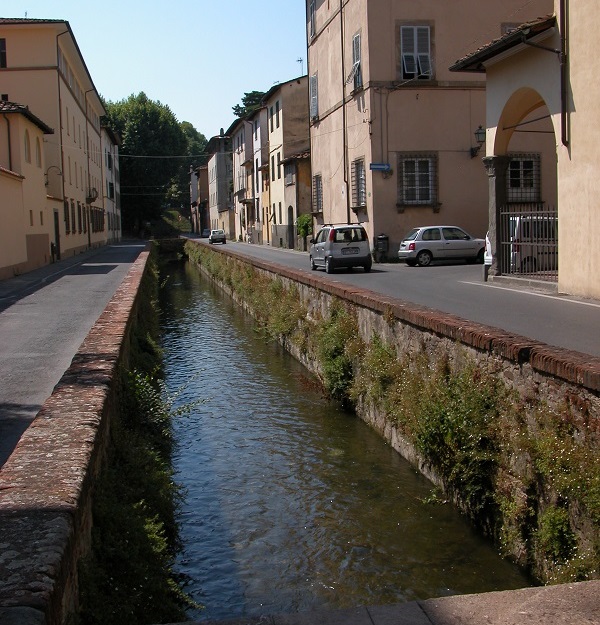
{"x": 41, "y": 67}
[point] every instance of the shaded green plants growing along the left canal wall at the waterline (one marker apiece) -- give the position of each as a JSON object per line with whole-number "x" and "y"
{"x": 128, "y": 578}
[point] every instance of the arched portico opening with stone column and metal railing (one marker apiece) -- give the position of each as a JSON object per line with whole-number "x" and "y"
{"x": 522, "y": 188}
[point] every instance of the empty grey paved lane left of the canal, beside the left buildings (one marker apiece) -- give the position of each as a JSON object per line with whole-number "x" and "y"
{"x": 44, "y": 317}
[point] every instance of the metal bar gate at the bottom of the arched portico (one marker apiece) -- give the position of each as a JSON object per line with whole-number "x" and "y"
{"x": 529, "y": 241}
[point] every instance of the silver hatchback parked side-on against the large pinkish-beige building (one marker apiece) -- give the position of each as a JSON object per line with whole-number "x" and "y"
{"x": 427, "y": 243}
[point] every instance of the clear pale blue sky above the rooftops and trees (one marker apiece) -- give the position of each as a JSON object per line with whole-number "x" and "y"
{"x": 198, "y": 57}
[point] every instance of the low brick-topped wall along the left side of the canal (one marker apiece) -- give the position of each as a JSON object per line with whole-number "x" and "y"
{"x": 46, "y": 484}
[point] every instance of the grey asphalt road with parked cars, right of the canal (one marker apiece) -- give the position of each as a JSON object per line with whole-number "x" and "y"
{"x": 459, "y": 289}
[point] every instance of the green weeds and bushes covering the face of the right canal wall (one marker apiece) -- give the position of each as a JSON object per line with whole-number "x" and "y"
{"x": 527, "y": 475}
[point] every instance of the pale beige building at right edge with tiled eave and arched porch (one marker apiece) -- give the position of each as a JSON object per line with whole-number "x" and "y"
{"x": 545, "y": 71}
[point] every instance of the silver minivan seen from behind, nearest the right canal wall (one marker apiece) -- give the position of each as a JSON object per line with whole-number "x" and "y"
{"x": 344, "y": 245}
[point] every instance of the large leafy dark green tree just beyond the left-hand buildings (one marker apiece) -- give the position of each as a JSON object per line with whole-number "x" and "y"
{"x": 152, "y": 142}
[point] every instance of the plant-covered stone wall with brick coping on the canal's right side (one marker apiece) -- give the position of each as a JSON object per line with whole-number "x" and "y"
{"x": 506, "y": 426}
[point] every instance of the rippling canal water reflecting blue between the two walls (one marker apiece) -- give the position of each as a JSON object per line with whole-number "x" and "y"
{"x": 290, "y": 503}
